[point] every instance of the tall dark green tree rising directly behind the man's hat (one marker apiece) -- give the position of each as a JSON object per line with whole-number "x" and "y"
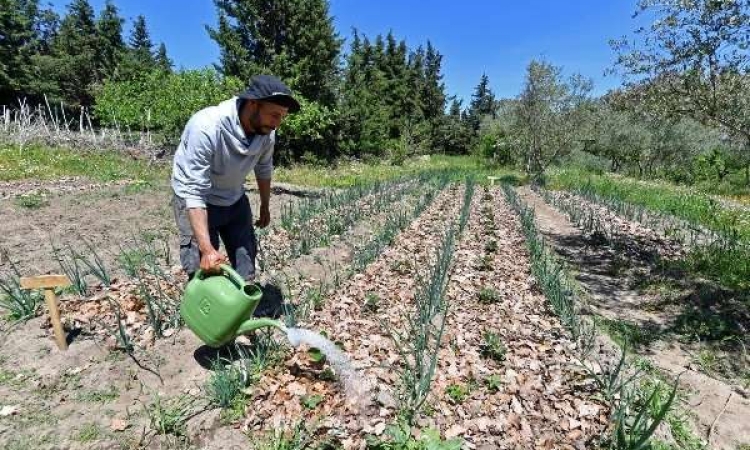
{"x": 293, "y": 39}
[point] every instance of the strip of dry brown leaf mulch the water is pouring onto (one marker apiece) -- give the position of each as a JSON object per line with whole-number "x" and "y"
{"x": 363, "y": 337}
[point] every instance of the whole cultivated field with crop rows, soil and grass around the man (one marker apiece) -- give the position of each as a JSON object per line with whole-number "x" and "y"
{"x": 472, "y": 315}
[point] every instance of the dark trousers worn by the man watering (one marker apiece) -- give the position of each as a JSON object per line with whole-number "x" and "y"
{"x": 233, "y": 224}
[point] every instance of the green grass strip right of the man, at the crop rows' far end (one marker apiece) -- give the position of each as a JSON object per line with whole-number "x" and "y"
{"x": 346, "y": 174}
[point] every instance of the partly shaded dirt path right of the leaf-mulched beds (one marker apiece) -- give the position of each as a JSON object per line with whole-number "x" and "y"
{"x": 720, "y": 410}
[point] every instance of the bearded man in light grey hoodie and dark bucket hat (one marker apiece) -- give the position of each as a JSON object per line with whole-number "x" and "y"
{"x": 219, "y": 147}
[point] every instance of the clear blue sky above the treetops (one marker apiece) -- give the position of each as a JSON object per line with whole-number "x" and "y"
{"x": 497, "y": 37}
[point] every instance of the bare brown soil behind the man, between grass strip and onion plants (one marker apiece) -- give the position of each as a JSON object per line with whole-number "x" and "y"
{"x": 107, "y": 217}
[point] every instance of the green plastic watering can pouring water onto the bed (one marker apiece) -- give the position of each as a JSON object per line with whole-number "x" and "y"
{"x": 218, "y": 308}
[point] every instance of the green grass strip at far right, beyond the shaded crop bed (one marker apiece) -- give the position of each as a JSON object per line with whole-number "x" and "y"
{"x": 687, "y": 204}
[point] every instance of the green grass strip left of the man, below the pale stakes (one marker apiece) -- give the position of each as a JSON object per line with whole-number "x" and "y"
{"x": 46, "y": 163}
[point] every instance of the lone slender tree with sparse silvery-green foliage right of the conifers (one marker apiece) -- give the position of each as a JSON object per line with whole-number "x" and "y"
{"x": 550, "y": 115}
